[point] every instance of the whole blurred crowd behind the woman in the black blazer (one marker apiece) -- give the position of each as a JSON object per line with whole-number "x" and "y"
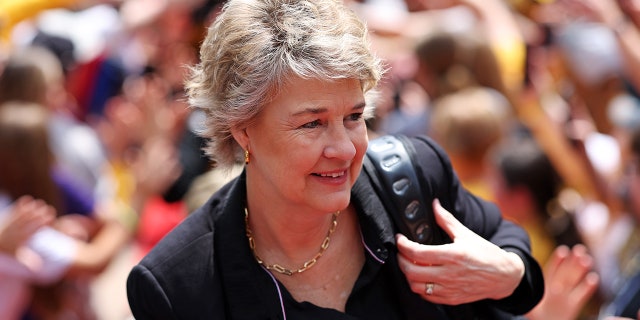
{"x": 537, "y": 103}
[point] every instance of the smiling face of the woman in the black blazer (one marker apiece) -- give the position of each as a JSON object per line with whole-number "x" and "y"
{"x": 307, "y": 145}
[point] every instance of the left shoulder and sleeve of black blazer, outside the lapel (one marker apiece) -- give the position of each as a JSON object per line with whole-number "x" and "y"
{"x": 179, "y": 276}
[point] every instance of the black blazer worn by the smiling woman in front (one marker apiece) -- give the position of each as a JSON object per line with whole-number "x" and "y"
{"x": 204, "y": 269}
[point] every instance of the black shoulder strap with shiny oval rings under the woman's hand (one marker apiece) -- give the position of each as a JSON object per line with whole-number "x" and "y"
{"x": 390, "y": 166}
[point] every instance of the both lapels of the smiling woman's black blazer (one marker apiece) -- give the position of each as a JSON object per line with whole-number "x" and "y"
{"x": 250, "y": 291}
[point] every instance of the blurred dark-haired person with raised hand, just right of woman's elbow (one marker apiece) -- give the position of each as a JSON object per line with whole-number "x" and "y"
{"x": 530, "y": 192}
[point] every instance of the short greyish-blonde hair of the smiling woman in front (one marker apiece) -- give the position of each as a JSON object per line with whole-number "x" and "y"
{"x": 255, "y": 46}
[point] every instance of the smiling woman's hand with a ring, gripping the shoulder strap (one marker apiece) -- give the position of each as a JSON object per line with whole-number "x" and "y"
{"x": 469, "y": 269}
